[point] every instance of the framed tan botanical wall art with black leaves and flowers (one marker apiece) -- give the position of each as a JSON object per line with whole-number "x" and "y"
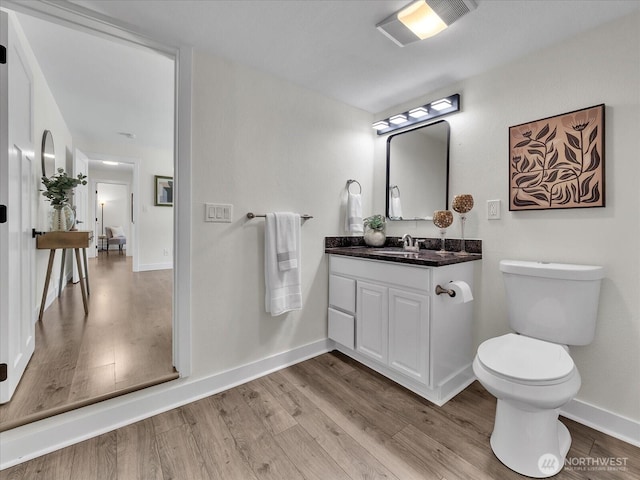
{"x": 558, "y": 162}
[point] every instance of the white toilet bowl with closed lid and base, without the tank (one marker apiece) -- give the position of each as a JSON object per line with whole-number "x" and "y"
{"x": 531, "y": 380}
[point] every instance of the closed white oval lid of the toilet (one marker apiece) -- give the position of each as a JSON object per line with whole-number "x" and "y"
{"x": 525, "y": 358}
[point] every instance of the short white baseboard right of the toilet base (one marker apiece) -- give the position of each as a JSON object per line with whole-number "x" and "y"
{"x": 604, "y": 421}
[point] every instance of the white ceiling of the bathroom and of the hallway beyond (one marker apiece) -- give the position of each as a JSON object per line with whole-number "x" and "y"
{"x": 328, "y": 46}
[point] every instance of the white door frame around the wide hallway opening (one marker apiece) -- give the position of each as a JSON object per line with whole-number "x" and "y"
{"x": 77, "y": 17}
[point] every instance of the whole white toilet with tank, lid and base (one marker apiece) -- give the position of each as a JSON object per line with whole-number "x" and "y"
{"x": 530, "y": 372}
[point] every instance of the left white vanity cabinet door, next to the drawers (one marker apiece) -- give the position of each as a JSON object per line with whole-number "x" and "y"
{"x": 372, "y": 325}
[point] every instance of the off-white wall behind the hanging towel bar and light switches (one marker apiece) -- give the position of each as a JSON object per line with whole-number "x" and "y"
{"x": 264, "y": 145}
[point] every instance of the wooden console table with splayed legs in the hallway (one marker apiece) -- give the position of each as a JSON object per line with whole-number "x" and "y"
{"x": 78, "y": 240}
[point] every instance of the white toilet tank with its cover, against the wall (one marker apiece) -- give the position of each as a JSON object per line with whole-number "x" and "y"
{"x": 552, "y": 301}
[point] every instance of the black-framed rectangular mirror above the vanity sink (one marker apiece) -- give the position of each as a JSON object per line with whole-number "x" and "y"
{"x": 418, "y": 172}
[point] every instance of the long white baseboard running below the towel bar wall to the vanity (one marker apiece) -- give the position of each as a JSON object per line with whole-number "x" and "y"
{"x": 39, "y": 438}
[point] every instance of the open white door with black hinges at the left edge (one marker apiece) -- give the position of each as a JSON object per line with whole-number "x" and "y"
{"x": 17, "y": 190}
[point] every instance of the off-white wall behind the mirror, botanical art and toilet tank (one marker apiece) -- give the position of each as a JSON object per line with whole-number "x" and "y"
{"x": 600, "y": 66}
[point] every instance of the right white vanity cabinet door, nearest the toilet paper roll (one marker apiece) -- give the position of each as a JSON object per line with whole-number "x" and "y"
{"x": 409, "y": 334}
